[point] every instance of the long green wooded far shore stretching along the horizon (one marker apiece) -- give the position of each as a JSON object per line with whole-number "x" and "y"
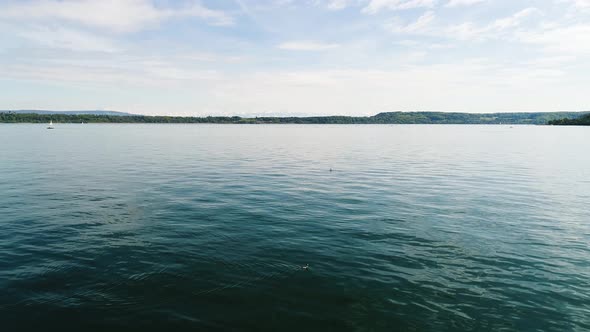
{"x": 381, "y": 118}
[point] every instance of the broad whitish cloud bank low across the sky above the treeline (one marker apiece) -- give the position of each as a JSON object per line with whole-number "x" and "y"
{"x": 469, "y": 85}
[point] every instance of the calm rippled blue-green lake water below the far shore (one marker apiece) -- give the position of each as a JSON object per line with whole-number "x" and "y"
{"x": 417, "y": 228}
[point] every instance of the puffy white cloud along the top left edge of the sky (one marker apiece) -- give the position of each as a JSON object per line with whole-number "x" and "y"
{"x": 115, "y": 15}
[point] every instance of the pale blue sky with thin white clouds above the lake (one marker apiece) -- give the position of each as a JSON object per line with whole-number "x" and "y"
{"x": 295, "y": 57}
